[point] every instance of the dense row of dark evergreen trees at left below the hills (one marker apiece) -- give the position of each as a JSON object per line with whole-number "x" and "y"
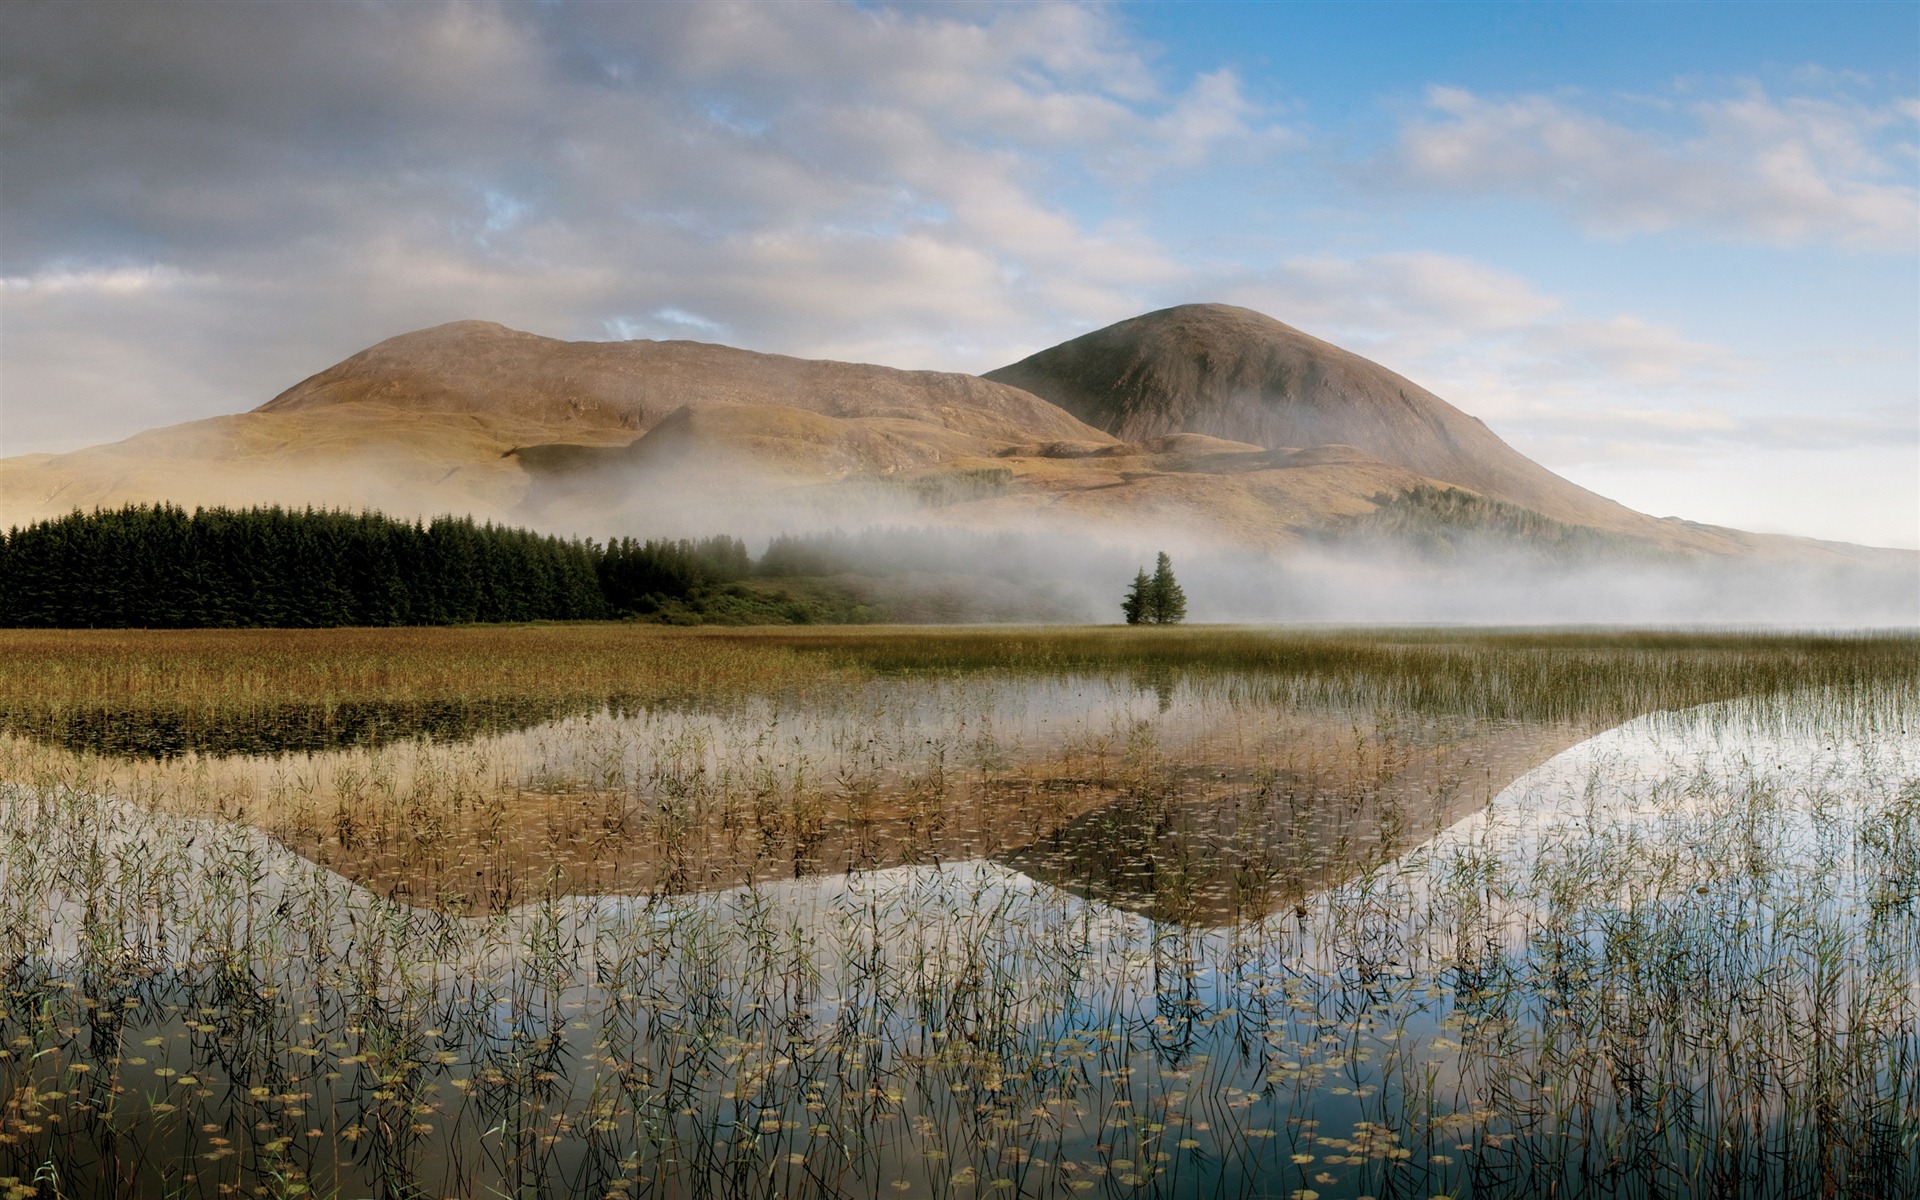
{"x": 162, "y": 567}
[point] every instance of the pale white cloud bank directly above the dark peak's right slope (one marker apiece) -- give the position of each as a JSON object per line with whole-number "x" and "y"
{"x": 1621, "y": 404}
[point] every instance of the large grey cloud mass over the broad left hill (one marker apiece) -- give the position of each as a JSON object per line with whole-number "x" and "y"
{"x": 821, "y": 180}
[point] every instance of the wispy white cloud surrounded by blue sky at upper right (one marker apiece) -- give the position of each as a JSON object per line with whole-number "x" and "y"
{"x": 1744, "y": 166}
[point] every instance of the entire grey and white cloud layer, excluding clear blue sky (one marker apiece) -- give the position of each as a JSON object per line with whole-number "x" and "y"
{"x": 206, "y": 203}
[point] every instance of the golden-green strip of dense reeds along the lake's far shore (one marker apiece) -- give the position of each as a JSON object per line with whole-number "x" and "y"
{"x": 1483, "y": 673}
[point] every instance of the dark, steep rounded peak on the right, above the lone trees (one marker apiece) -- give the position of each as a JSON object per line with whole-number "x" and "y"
{"x": 1234, "y": 373}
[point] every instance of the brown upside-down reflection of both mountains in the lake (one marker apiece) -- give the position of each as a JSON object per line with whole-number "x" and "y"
{"x": 1189, "y": 800}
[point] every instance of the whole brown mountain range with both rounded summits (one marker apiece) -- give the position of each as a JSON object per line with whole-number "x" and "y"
{"x": 1209, "y": 425}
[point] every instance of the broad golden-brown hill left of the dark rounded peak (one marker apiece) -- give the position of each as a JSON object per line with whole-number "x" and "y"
{"x": 473, "y": 418}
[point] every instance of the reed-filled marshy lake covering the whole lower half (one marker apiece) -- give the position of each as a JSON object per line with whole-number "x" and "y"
{"x": 1243, "y": 924}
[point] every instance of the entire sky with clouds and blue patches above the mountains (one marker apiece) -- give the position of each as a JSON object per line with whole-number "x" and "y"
{"x": 1669, "y": 251}
